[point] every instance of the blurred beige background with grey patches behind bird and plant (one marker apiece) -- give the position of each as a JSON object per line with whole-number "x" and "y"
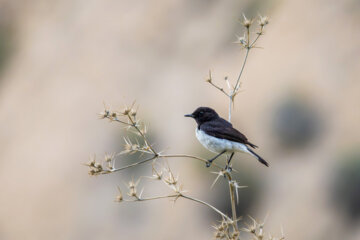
{"x": 61, "y": 59}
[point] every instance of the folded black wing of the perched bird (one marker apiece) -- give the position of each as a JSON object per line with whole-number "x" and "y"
{"x": 220, "y": 128}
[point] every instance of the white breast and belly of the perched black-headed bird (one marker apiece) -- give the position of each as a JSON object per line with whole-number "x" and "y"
{"x": 219, "y": 145}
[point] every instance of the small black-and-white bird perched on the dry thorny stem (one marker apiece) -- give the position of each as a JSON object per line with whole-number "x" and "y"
{"x": 219, "y": 136}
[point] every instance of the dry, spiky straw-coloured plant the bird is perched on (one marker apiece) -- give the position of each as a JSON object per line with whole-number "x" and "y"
{"x": 228, "y": 227}
